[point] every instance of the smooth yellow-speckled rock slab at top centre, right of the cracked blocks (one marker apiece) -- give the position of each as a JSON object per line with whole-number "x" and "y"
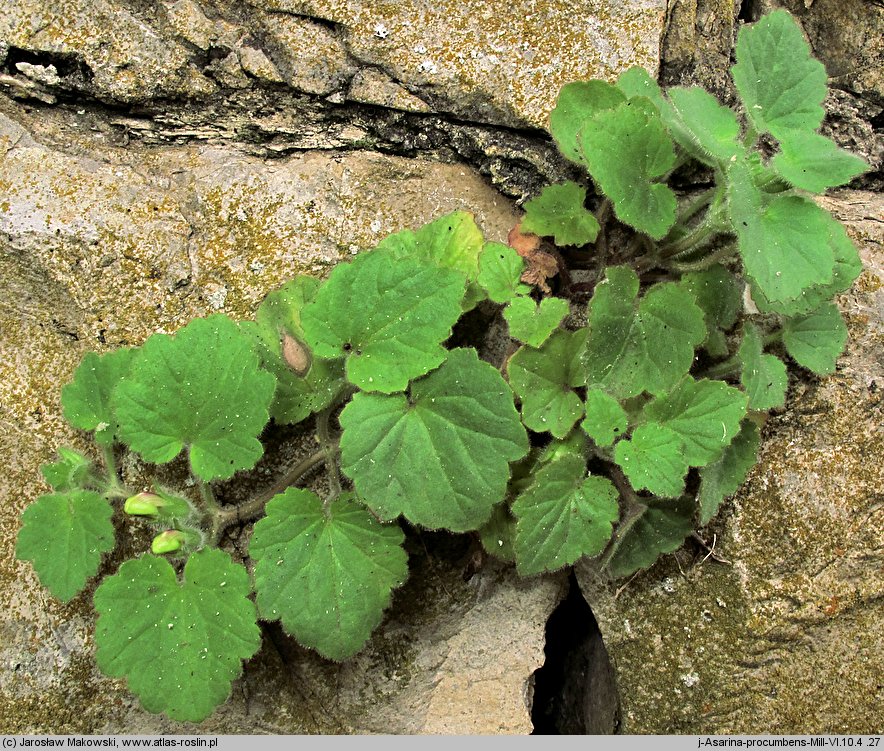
{"x": 498, "y": 61}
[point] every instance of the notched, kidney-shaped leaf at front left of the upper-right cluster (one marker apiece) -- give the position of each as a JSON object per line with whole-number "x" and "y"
{"x": 626, "y": 149}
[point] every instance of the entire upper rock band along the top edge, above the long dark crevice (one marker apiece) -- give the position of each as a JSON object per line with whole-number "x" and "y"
{"x": 494, "y": 61}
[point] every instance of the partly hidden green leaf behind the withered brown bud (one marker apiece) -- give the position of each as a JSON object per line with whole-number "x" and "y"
{"x": 300, "y": 391}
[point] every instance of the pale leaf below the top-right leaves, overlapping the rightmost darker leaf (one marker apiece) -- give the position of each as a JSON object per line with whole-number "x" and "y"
{"x": 785, "y": 244}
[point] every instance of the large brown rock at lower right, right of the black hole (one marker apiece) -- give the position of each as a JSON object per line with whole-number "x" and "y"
{"x": 788, "y": 638}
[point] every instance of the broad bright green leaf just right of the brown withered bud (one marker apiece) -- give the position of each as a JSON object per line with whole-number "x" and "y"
{"x": 387, "y": 316}
